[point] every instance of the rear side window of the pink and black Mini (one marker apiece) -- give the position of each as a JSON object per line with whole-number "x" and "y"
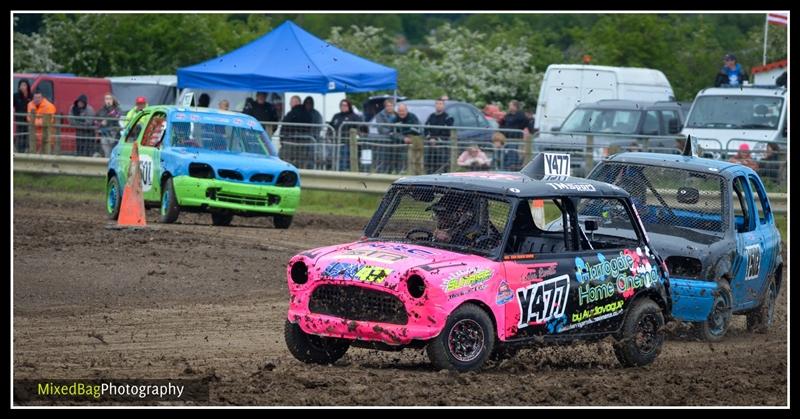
{"x": 606, "y": 224}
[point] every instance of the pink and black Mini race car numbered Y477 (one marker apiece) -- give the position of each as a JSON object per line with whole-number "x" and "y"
{"x": 477, "y": 265}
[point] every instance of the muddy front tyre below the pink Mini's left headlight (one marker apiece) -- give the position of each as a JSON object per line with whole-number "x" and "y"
{"x": 313, "y": 349}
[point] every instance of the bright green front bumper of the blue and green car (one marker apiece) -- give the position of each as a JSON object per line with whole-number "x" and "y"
{"x": 239, "y": 197}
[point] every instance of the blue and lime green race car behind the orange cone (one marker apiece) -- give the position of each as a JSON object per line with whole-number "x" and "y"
{"x": 204, "y": 160}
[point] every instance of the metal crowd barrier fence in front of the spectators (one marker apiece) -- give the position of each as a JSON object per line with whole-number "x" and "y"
{"x": 399, "y": 149}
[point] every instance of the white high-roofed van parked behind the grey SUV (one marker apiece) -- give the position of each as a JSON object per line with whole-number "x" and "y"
{"x": 567, "y": 85}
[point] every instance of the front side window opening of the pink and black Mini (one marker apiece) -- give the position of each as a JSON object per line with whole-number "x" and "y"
{"x": 539, "y": 228}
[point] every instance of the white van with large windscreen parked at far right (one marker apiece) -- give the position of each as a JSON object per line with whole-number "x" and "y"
{"x": 726, "y": 117}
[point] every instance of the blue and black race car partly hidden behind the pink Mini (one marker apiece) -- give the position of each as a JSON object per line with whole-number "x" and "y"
{"x": 712, "y": 222}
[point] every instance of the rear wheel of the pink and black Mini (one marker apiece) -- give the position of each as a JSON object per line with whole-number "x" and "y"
{"x": 642, "y": 334}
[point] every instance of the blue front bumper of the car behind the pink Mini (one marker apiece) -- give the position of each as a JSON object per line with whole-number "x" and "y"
{"x": 692, "y": 299}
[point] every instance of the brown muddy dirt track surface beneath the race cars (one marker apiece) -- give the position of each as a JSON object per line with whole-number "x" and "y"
{"x": 192, "y": 300}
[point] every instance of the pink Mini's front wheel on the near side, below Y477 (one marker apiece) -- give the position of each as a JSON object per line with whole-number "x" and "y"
{"x": 466, "y": 341}
